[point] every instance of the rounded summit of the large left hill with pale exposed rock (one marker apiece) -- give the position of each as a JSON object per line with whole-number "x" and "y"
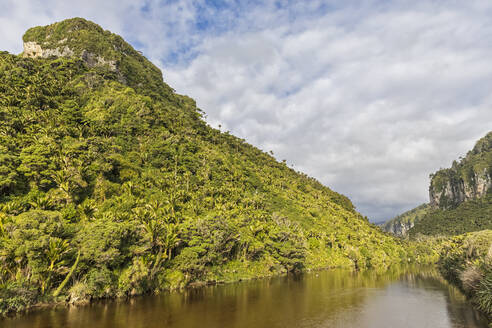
{"x": 79, "y": 38}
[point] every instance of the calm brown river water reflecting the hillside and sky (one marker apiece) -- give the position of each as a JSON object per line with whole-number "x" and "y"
{"x": 416, "y": 297}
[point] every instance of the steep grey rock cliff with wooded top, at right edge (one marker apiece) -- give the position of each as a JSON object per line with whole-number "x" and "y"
{"x": 470, "y": 178}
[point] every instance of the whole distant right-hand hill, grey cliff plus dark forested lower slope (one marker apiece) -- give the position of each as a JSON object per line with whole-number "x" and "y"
{"x": 460, "y": 198}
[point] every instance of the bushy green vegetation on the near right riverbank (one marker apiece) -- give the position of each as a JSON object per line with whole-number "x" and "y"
{"x": 466, "y": 261}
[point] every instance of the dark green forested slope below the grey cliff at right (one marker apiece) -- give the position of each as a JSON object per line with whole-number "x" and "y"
{"x": 472, "y": 215}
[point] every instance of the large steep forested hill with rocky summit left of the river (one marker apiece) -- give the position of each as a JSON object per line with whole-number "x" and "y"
{"x": 111, "y": 184}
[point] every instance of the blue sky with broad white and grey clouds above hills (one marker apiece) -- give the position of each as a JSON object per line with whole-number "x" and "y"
{"x": 369, "y": 97}
